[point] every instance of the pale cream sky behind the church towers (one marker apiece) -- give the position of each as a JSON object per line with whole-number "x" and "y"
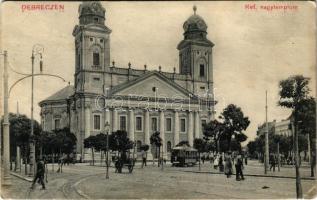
{"x": 254, "y": 49}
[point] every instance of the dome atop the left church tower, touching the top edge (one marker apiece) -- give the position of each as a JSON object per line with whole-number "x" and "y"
{"x": 91, "y": 12}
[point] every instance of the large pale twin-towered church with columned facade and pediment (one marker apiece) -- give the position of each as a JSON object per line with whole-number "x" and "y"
{"x": 139, "y": 101}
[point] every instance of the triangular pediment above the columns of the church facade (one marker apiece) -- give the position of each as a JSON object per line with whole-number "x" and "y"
{"x": 152, "y": 85}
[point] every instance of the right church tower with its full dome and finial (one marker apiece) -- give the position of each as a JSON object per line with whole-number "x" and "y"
{"x": 195, "y": 54}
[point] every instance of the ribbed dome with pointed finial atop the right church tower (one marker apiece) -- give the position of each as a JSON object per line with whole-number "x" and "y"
{"x": 195, "y": 23}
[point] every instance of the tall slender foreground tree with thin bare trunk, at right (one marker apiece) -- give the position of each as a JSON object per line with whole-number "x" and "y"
{"x": 293, "y": 91}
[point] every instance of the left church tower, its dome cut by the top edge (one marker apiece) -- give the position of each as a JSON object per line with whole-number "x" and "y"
{"x": 92, "y": 48}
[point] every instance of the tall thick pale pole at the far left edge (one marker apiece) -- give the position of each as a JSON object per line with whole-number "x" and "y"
{"x": 6, "y": 131}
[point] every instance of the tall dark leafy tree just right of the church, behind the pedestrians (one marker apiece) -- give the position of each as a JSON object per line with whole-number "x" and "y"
{"x": 234, "y": 122}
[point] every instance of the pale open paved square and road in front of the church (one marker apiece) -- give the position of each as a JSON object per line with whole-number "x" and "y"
{"x": 84, "y": 181}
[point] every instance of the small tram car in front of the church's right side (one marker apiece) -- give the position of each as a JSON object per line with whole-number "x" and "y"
{"x": 184, "y": 156}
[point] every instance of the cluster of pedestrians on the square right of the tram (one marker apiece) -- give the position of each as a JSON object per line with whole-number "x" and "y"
{"x": 225, "y": 164}
